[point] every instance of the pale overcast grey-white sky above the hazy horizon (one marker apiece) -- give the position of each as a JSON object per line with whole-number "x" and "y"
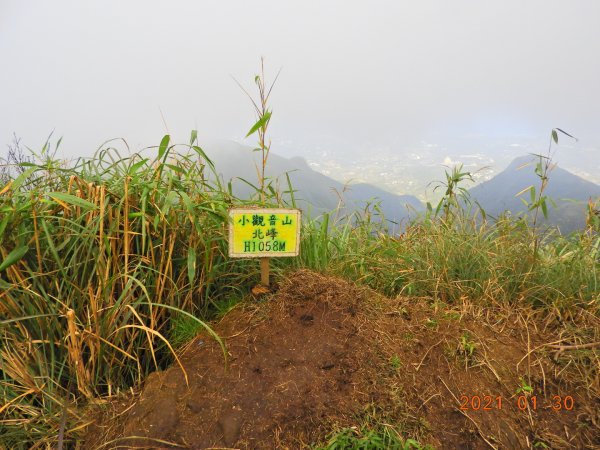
{"x": 390, "y": 72}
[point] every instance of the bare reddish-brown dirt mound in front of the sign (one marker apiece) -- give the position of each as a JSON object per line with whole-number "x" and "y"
{"x": 322, "y": 353}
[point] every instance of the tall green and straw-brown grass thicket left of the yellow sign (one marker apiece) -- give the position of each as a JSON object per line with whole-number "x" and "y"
{"x": 97, "y": 258}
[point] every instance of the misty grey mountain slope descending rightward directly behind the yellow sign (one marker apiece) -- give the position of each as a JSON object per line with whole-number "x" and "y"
{"x": 316, "y": 193}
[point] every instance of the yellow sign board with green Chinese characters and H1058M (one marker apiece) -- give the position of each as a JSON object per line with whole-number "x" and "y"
{"x": 264, "y": 233}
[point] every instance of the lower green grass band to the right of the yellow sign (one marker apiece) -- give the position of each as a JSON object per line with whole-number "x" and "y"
{"x": 464, "y": 259}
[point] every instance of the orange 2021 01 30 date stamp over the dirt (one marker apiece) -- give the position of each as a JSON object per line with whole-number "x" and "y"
{"x": 522, "y": 402}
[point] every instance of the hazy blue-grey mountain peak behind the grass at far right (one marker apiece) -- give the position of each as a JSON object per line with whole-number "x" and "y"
{"x": 570, "y": 192}
